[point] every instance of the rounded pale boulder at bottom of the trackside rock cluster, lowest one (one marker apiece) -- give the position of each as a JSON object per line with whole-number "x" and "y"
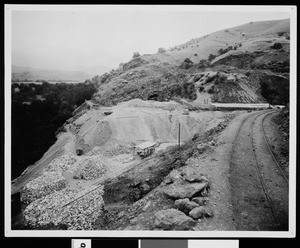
{"x": 172, "y": 219}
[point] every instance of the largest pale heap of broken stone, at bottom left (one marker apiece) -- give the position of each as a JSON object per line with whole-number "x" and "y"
{"x": 75, "y": 207}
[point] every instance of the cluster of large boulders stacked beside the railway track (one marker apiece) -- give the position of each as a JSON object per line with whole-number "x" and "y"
{"x": 188, "y": 188}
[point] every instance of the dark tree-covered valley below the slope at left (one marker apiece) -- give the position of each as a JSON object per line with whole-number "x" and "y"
{"x": 37, "y": 113}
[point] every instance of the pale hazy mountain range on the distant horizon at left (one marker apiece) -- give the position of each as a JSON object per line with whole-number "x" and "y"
{"x": 20, "y": 74}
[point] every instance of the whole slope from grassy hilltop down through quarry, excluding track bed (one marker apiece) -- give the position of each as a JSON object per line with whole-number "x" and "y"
{"x": 94, "y": 176}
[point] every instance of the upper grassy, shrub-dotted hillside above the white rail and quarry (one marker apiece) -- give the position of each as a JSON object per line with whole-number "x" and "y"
{"x": 225, "y": 66}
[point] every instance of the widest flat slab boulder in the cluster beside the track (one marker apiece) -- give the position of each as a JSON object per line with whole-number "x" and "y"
{"x": 186, "y": 190}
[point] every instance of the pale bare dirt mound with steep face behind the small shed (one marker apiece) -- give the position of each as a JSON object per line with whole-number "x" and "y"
{"x": 136, "y": 121}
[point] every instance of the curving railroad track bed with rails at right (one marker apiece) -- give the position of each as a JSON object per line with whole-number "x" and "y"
{"x": 259, "y": 192}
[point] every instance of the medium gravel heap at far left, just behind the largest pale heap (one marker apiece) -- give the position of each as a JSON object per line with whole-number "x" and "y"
{"x": 43, "y": 185}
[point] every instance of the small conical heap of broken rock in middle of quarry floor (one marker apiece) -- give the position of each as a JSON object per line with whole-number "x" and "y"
{"x": 91, "y": 170}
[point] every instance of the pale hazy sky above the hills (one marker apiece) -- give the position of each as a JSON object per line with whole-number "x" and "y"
{"x": 75, "y": 40}
